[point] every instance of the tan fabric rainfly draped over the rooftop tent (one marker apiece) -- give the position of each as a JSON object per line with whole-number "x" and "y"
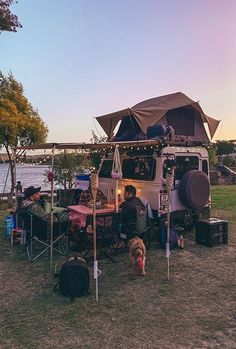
{"x": 150, "y": 112}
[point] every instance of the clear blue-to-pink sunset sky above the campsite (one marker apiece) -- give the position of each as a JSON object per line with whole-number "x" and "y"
{"x": 79, "y": 59}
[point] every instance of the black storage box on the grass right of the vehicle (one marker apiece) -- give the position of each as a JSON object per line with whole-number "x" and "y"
{"x": 212, "y": 232}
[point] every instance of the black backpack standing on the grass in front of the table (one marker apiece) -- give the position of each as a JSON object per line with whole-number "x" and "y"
{"x": 74, "y": 278}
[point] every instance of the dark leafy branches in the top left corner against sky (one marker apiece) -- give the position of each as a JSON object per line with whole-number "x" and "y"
{"x": 8, "y": 21}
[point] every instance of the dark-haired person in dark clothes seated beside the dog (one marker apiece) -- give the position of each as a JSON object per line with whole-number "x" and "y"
{"x": 128, "y": 214}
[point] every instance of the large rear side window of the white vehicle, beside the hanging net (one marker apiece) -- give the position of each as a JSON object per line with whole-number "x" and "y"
{"x": 139, "y": 169}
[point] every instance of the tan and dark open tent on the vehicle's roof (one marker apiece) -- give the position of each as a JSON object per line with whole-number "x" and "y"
{"x": 176, "y": 110}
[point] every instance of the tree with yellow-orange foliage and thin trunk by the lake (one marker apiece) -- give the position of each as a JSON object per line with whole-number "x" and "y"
{"x": 20, "y": 123}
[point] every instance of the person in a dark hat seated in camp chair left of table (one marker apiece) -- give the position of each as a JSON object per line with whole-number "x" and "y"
{"x": 31, "y": 205}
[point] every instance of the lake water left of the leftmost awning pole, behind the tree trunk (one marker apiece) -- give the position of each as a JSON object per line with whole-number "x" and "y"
{"x": 27, "y": 174}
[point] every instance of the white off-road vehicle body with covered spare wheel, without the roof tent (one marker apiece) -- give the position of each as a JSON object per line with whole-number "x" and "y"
{"x": 146, "y": 168}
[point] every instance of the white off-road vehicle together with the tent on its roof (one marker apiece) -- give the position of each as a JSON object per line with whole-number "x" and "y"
{"x": 159, "y": 136}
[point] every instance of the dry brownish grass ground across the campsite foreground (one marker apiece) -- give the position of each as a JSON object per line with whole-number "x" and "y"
{"x": 195, "y": 309}
